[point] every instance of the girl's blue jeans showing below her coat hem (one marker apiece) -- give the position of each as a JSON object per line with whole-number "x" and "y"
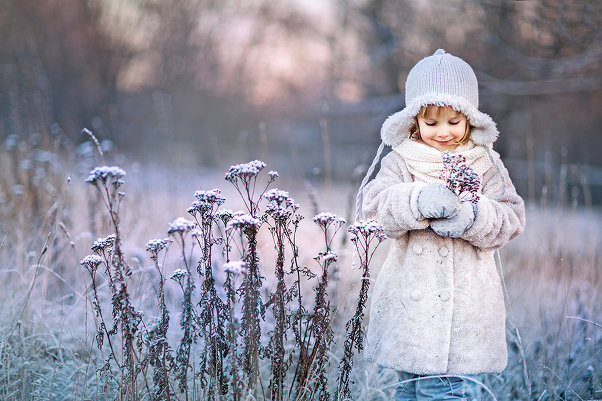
{"x": 417, "y": 388}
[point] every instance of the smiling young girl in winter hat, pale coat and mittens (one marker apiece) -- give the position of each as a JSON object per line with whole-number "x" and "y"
{"x": 437, "y": 306}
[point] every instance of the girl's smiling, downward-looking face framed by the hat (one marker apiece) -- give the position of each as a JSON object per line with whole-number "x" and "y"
{"x": 442, "y": 131}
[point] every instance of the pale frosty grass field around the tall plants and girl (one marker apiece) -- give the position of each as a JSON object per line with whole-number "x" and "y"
{"x": 49, "y": 323}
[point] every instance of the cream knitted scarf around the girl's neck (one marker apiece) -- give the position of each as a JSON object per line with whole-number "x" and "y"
{"x": 426, "y": 163}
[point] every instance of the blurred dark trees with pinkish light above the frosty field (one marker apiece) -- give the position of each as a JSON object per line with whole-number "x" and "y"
{"x": 302, "y": 84}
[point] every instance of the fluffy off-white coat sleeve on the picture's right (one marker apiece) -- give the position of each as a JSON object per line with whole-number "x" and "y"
{"x": 500, "y": 210}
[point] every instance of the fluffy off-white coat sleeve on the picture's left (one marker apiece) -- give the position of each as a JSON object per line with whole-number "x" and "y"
{"x": 391, "y": 198}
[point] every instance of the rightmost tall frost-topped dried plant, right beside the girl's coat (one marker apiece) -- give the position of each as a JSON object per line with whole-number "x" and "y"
{"x": 364, "y": 233}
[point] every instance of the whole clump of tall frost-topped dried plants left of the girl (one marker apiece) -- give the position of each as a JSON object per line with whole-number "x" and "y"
{"x": 227, "y": 345}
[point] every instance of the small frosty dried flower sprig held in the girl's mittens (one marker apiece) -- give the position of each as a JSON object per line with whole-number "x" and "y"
{"x": 460, "y": 178}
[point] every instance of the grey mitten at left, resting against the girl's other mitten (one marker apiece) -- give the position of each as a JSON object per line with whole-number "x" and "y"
{"x": 435, "y": 201}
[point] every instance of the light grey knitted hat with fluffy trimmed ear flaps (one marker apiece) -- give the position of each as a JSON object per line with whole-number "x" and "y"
{"x": 442, "y": 80}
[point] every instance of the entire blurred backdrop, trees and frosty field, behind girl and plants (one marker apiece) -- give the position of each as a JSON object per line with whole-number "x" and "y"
{"x": 176, "y": 91}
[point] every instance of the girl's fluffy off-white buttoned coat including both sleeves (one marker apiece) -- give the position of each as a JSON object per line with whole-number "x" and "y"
{"x": 437, "y": 305}
